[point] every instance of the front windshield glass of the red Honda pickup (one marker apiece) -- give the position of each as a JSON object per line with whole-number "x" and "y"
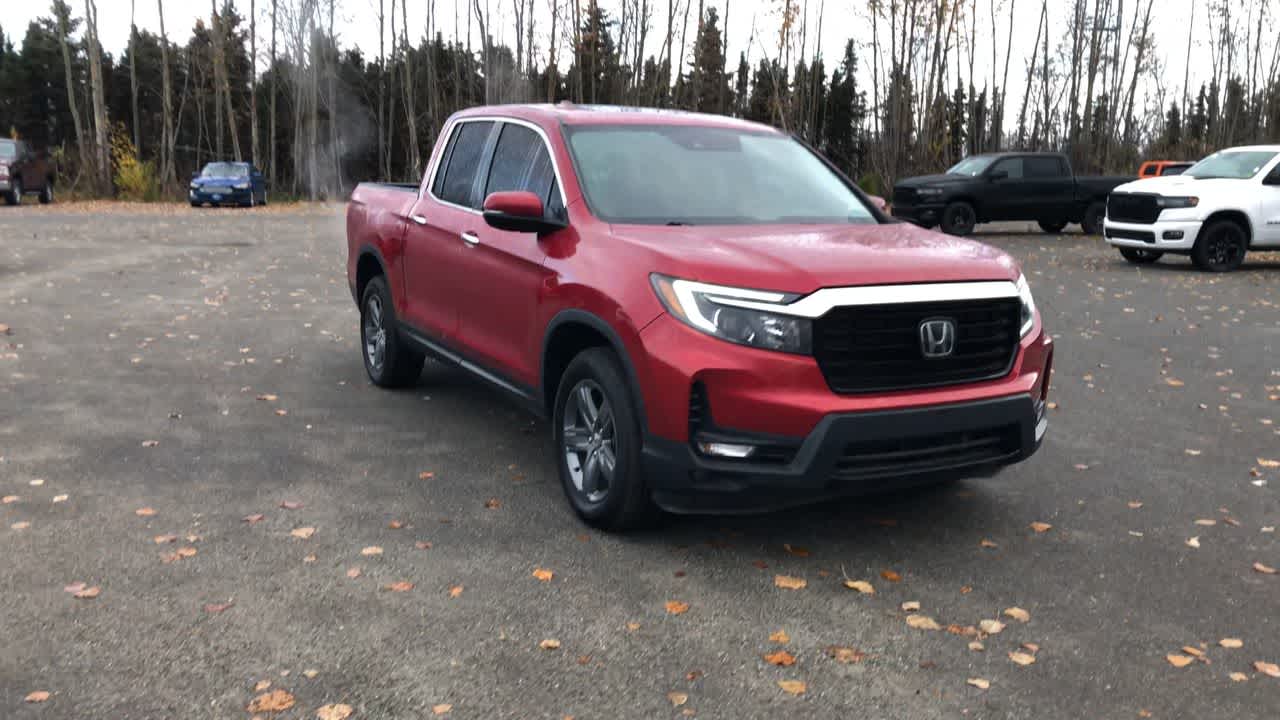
{"x": 685, "y": 176}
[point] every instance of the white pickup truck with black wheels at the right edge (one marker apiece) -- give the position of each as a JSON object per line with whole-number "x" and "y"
{"x": 1218, "y": 211}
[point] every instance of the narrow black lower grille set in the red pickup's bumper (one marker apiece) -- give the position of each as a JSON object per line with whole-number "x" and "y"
{"x": 926, "y": 454}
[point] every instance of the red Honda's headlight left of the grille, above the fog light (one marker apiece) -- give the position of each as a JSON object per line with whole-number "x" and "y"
{"x": 708, "y": 308}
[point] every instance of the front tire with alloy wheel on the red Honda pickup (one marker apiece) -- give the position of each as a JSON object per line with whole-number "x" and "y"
{"x": 597, "y": 439}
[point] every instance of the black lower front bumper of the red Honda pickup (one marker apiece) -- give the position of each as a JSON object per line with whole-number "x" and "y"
{"x": 853, "y": 454}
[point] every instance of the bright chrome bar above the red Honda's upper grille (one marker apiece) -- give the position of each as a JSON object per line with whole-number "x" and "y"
{"x": 828, "y": 299}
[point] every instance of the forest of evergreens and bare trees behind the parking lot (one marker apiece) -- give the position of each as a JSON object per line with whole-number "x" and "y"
{"x": 268, "y": 81}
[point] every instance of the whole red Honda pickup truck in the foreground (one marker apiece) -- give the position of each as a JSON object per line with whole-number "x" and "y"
{"x": 712, "y": 317}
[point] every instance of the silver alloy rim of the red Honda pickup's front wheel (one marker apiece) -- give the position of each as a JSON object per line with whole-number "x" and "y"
{"x": 589, "y": 441}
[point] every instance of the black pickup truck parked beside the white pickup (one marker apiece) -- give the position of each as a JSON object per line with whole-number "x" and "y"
{"x": 1007, "y": 186}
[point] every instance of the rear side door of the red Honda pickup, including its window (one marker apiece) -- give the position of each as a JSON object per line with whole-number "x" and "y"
{"x": 446, "y": 213}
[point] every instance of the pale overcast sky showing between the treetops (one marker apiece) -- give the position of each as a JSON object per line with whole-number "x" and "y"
{"x": 844, "y": 19}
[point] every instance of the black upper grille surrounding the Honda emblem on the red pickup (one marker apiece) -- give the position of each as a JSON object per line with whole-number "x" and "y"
{"x": 877, "y": 348}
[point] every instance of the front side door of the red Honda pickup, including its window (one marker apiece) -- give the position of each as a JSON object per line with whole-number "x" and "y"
{"x": 499, "y": 304}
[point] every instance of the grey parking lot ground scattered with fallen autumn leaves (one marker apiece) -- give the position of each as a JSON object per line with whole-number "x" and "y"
{"x": 204, "y": 495}
